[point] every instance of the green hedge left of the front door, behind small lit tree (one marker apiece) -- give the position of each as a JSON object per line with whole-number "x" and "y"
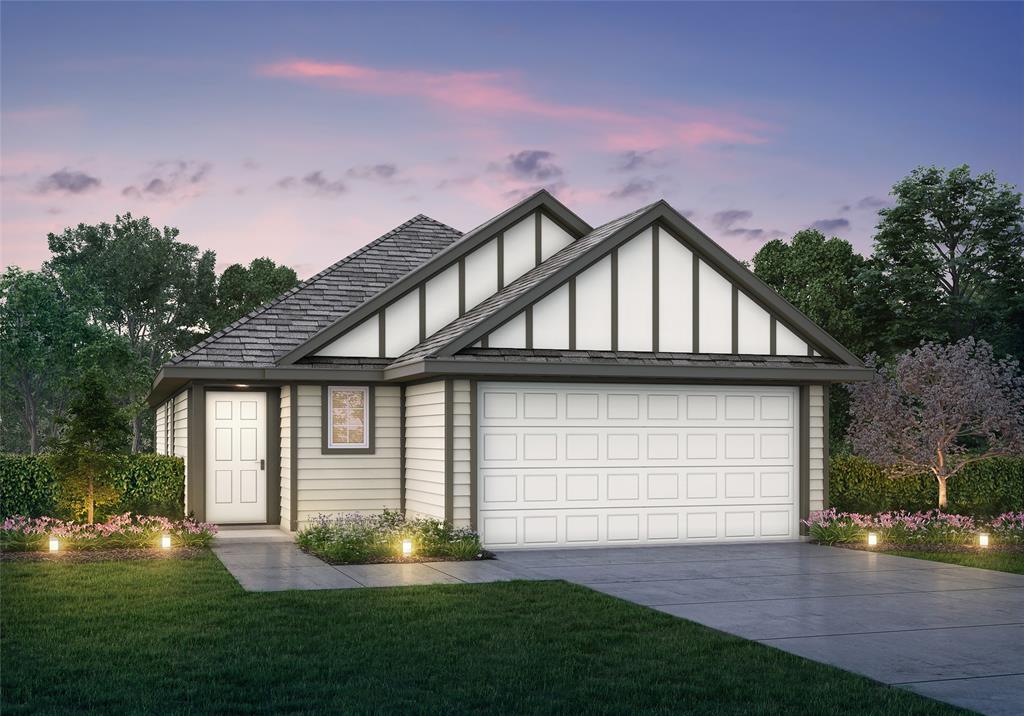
{"x": 148, "y": 484}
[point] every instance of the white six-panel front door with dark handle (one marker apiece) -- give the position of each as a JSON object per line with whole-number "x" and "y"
{"x": 236, "y": 457}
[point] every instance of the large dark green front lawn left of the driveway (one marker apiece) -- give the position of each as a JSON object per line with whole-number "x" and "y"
{"x": 173, "y": 637}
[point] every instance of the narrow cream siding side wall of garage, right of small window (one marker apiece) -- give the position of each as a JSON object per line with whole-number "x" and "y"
{"x": 425, "y": 450}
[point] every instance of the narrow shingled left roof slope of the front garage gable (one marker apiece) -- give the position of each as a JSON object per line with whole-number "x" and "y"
{"x": 519, "y": 287}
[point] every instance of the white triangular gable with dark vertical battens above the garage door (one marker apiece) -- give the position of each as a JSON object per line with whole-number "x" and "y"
{"x": 652, "y": 293}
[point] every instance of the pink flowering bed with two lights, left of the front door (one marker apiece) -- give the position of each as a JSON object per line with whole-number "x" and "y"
{"x": 19, "y": 533}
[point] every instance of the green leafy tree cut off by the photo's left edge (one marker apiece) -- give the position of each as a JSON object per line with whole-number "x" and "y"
{"x": 41, "y": 336}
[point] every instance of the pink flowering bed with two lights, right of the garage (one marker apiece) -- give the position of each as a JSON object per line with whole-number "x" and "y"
{"x": 915, "y": 529}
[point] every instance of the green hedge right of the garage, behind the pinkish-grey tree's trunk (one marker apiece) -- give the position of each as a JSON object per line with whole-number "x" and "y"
{"x": 983, "y": 489}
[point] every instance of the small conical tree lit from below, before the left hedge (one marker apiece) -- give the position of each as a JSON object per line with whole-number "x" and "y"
{"x": 96, "y": 434}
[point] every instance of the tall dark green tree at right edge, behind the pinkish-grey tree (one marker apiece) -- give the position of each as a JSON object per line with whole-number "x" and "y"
{"x": 950, "y": 260}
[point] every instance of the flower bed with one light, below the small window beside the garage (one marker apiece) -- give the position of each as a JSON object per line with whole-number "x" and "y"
{"x": 356, "y": 539}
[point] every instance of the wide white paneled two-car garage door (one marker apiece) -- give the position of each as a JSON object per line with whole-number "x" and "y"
{"x": 584, "y": 466}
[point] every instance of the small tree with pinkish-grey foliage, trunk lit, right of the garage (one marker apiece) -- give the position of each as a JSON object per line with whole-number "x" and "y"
{"x": 937, "y": 409}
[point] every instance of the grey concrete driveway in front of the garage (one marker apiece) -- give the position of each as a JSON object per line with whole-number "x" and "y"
{"x": 950, "y": 633}
